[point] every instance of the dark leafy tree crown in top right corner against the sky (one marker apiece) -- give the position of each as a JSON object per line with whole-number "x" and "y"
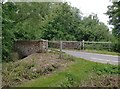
{"x": 114, "y": 16}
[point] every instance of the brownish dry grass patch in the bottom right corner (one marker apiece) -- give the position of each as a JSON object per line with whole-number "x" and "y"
{"x": 104, "y": 80}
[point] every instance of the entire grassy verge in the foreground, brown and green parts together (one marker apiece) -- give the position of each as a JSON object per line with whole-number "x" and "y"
{"x": 47, "y": 70}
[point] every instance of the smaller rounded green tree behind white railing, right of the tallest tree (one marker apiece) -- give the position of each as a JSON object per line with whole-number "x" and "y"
{"x": 91, "y": 29}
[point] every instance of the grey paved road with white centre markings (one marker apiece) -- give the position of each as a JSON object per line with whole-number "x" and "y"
{"x": 102, "y": 58}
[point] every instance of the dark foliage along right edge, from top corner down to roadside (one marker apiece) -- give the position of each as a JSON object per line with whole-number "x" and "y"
{"x": 114, "y": 15}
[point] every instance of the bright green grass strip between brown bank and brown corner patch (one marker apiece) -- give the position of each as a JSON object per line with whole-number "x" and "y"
{"x": 73, "y": 75}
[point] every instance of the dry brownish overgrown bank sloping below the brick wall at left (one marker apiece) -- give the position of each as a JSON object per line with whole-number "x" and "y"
{"x": 31, "y": 67}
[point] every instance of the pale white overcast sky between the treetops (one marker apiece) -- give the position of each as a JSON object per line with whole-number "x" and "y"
{"x": 98, "y": 7}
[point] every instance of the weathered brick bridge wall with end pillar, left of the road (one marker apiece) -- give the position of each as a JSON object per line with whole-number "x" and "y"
{"x": 25, "y": 47}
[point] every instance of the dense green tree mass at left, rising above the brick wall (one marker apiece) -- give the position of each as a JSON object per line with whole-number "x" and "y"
{"x": 22, "y": 21}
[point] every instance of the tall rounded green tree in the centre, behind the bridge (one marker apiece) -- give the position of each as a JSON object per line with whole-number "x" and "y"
{"x": 64, "y": 25}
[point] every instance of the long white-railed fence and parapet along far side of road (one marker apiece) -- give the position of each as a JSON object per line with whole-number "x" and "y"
{"x": 80, "y": 45}
